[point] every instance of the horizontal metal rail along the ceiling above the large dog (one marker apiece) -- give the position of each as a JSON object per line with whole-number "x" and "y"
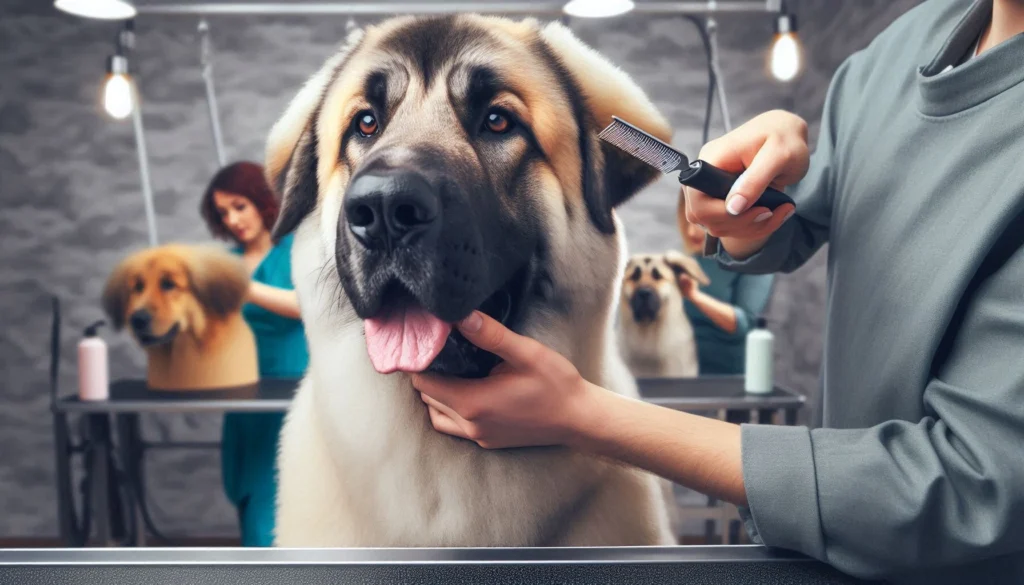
{"x": 742, "y": 7}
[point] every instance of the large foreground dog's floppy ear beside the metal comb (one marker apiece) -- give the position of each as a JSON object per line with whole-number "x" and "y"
{"x": 613, "y": 177}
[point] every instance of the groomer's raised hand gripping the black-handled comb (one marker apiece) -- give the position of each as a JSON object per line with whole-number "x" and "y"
{"x": 770, "y": 151}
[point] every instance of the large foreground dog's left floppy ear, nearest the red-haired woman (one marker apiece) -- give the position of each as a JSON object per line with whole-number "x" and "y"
{"x": 291, "y": 148}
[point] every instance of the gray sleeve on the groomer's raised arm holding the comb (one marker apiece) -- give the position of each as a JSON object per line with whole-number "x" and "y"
{"x": 807, "y": 231}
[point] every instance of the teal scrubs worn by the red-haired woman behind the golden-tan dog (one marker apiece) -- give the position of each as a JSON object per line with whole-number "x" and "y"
{"x": 249, "y": 444}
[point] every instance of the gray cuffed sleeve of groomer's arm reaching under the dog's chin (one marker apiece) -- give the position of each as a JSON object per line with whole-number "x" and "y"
{"x": 910, "y": 495}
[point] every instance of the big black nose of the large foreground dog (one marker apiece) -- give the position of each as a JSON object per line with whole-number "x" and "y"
{"x": 386, "y": 211}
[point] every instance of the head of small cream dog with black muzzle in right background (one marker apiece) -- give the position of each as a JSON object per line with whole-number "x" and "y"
{"x": 652, "y": 282}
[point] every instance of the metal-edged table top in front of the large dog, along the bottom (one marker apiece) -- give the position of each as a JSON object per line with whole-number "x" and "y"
{"x": 686, "y": 565}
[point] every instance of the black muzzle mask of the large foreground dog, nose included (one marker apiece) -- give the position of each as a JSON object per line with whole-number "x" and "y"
{"x": 432, "y": 233}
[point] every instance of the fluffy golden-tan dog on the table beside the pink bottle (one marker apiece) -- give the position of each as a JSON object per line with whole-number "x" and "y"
{"x": 184, "y": 307}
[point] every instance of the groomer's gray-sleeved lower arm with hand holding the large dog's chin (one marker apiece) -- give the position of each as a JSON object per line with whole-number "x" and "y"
{"x": 873, "y": 503}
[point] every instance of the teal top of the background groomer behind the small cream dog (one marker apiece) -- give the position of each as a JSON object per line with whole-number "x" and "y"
{"x": 720, "y": 353}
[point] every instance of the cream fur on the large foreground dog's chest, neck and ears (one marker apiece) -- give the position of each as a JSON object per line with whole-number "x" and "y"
{"x": 360, "y": 464}
